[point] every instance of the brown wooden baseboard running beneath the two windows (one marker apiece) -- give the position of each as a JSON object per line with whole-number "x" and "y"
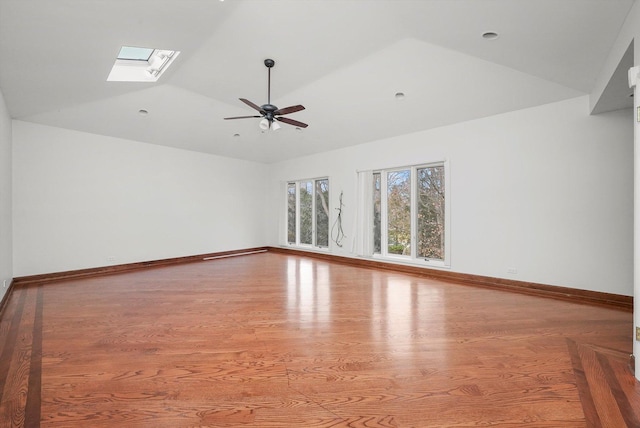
{"x": 564, "y": 293}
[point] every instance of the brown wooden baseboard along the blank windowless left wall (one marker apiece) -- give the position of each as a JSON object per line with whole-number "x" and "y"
{"x": 107, "y": 270}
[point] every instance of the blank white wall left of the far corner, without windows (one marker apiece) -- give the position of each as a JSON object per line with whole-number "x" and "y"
{"x": 83, "y": 200}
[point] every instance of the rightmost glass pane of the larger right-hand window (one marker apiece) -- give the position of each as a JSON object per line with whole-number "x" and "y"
{"x": 430, "y": 221}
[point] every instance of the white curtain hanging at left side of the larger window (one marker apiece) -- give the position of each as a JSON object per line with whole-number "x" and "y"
{"x": 363, "y": 236}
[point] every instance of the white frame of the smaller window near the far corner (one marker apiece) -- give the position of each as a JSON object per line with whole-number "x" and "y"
{"x": 314, "y": 214}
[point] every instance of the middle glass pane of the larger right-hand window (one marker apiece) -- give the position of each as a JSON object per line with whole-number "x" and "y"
{"x": 399, "y": 212}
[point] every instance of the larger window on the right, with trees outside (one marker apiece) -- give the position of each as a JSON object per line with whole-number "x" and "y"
{"x": 410, "y": 213}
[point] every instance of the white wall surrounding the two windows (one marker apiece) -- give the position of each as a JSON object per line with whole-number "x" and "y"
{"x": 546, "y": 190}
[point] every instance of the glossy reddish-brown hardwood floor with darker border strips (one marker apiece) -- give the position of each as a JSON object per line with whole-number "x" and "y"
{"x": 273, "y": 340}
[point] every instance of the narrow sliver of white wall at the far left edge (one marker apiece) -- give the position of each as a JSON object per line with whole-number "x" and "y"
{"x": 6, "y": 251}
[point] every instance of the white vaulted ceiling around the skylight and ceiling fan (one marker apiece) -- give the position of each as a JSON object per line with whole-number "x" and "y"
{"x": 342, "y": 59}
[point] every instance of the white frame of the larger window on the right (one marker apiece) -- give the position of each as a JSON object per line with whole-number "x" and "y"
{"x": 412, "y": 258}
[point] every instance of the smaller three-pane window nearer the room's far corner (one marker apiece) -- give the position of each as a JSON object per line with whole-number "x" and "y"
{"x": 308, "y": 212}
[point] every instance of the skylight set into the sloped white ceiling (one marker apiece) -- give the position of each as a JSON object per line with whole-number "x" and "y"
{"x": 137, "y": 64}
